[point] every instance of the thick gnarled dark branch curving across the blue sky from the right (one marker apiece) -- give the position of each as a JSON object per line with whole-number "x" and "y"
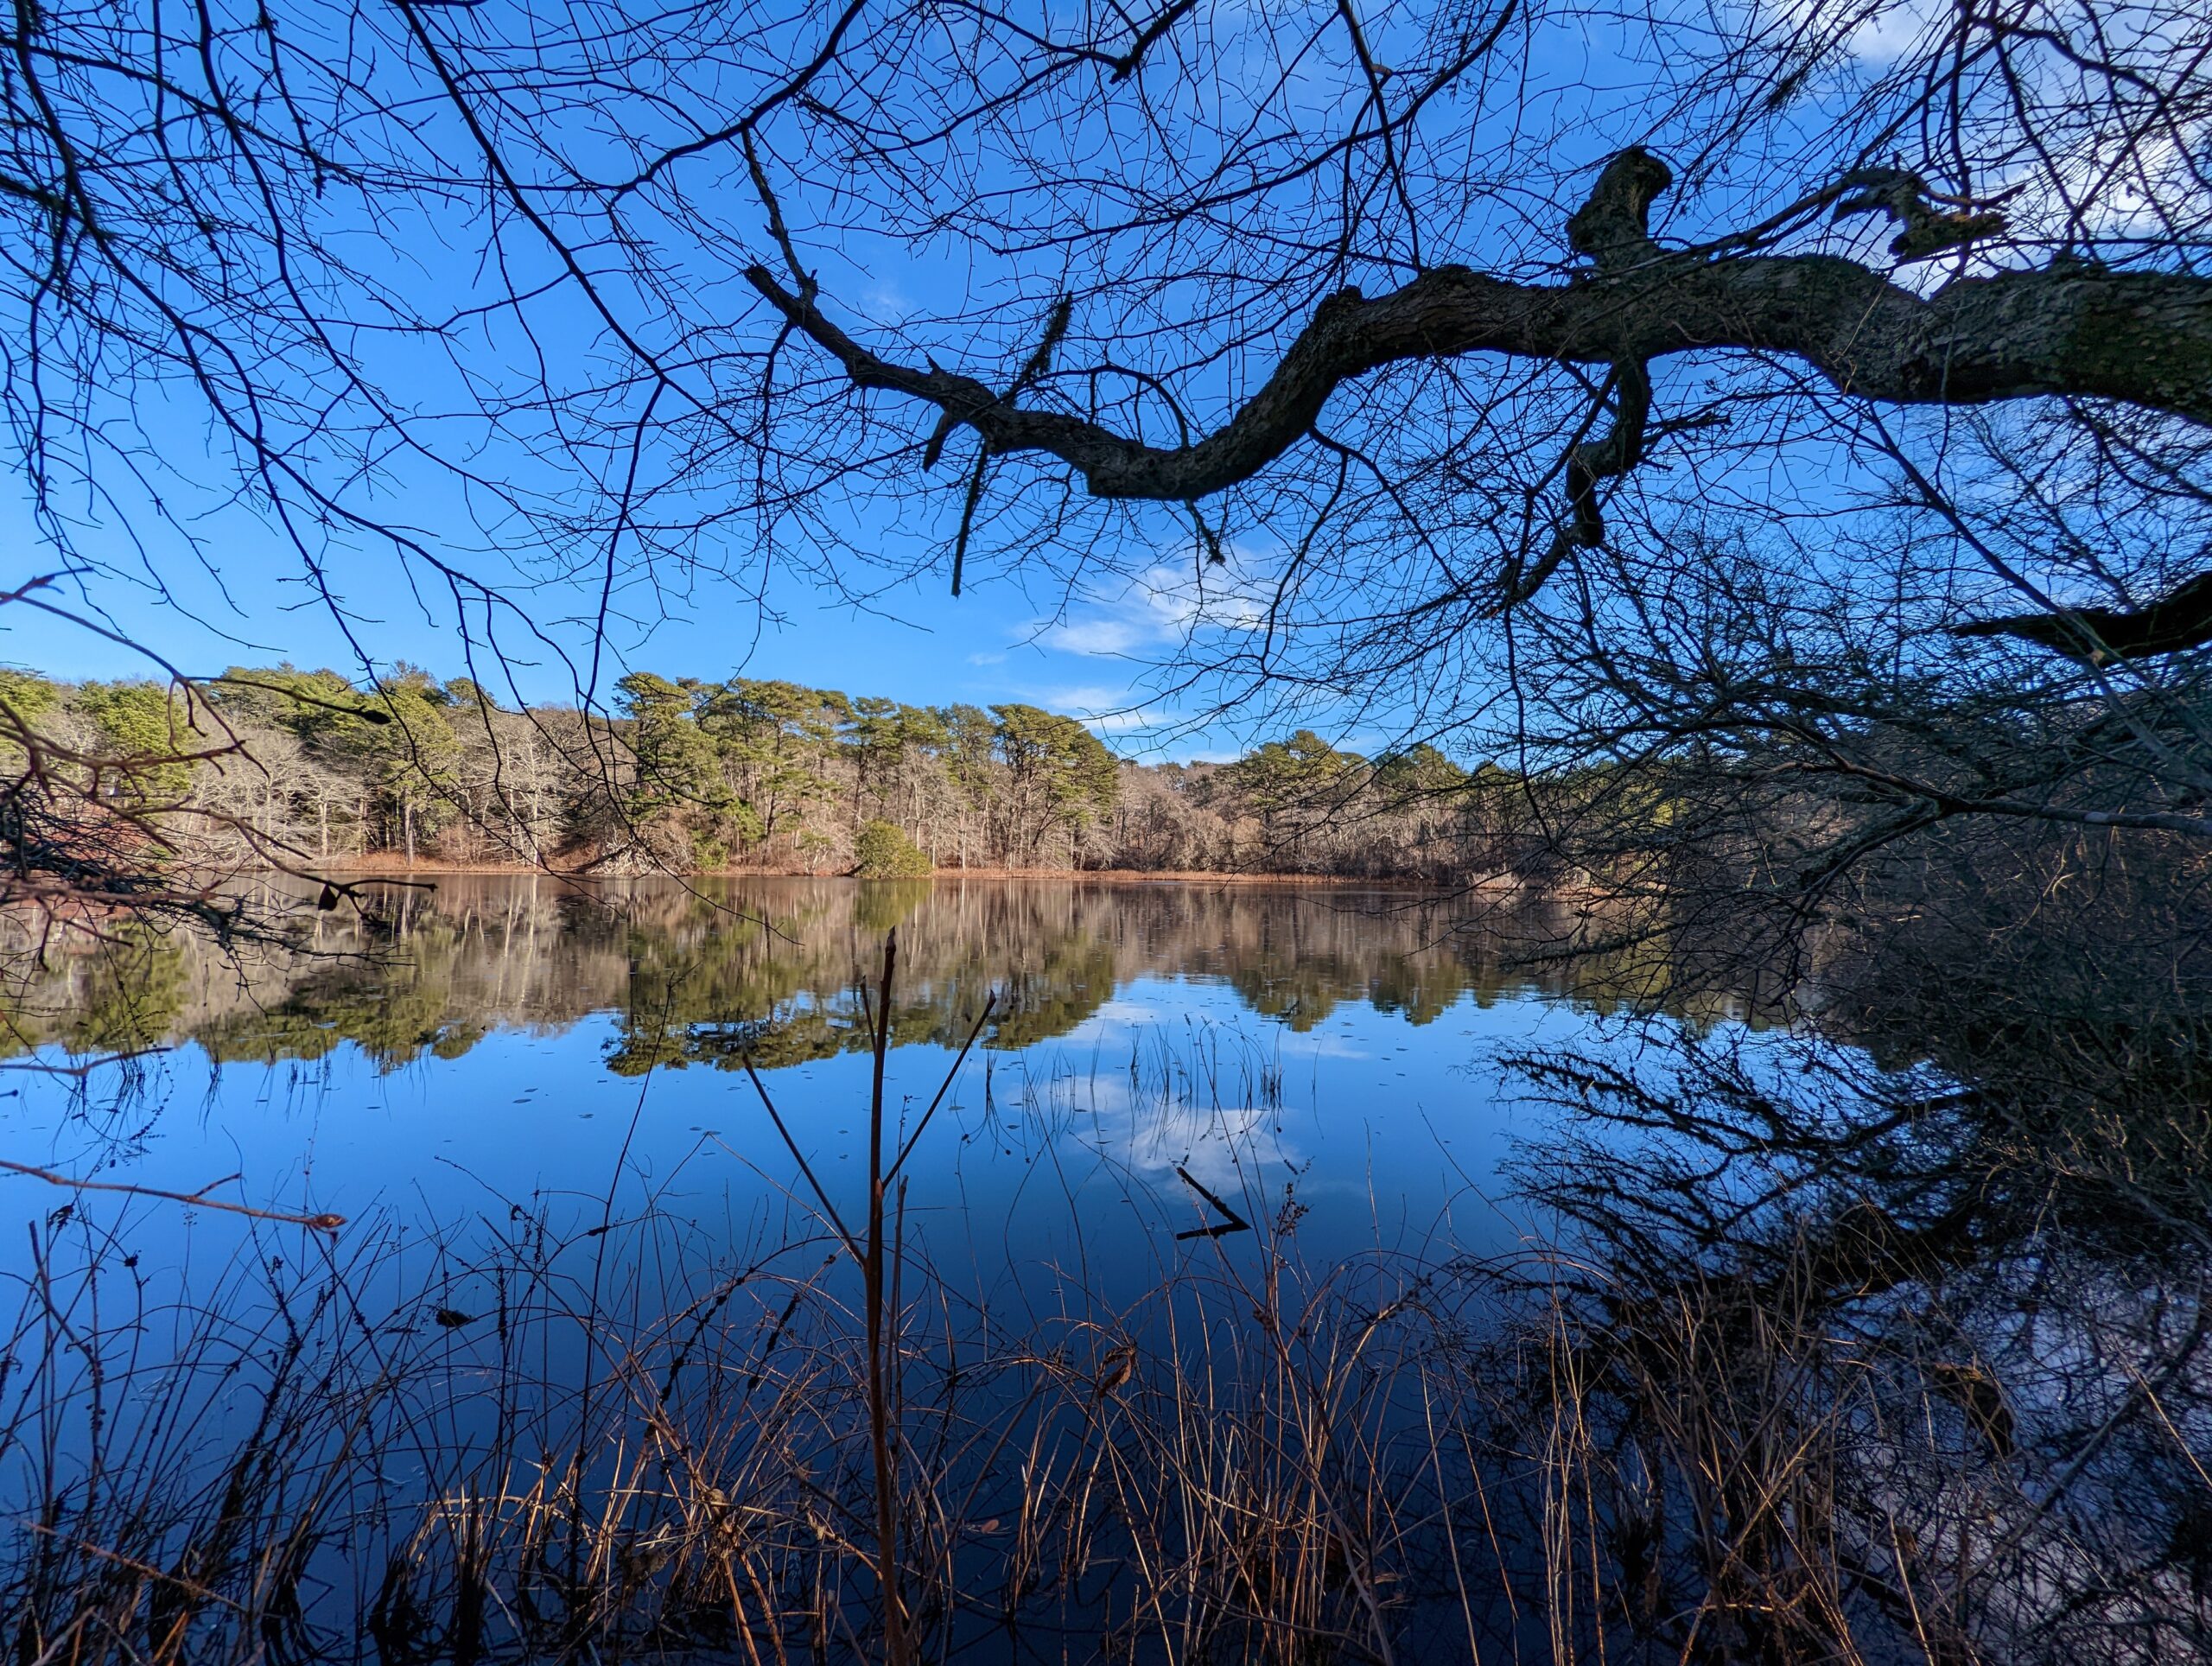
{"x": 2136, "y": 337}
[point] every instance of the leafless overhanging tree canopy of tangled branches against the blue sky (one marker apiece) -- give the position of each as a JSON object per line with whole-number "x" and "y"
{"x": 1441, "y": 346}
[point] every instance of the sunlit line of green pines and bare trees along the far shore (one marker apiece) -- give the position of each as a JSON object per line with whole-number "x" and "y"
{"x": 687, "y": 775}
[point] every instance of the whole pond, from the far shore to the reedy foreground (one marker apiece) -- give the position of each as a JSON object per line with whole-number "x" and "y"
{"x": 1262, "y": 1273}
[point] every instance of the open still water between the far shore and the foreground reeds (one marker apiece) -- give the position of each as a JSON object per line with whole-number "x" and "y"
{"x": 494, "y": 1045}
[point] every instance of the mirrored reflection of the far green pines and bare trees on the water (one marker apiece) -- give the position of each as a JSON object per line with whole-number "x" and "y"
{"x": 698, "y": 975}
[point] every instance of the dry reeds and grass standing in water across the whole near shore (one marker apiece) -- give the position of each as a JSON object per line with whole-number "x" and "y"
{"x": 1884, "y": 1393}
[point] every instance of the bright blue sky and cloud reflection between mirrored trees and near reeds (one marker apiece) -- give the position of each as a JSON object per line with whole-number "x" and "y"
{"x": 1386, "y": 1134}
